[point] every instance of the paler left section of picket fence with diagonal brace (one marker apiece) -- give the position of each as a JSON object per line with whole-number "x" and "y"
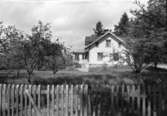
{"x": 37, "y": 100}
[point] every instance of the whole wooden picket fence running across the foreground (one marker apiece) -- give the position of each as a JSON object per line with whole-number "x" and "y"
{"x": 82, "y": 100}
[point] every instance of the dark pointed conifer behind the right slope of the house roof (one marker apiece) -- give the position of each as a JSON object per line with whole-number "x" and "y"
{"x": 122, "y": 28}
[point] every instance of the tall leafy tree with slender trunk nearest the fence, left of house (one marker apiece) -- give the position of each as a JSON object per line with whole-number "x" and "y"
{"x": 34, "y": 48}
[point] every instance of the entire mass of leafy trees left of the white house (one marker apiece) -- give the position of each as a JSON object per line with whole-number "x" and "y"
{"x": 31, "y": 52}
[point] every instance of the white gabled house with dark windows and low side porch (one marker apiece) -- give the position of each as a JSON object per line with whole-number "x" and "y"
{"x": 106, "y": 49}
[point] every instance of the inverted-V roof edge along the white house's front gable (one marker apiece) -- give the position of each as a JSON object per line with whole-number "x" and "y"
{"x": 103, "y": 37}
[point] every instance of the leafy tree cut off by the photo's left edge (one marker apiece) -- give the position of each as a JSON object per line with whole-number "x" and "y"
{"x": 9, "y": 40}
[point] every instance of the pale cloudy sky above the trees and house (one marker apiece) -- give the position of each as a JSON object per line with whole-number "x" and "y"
{"x": 71, "y": 20}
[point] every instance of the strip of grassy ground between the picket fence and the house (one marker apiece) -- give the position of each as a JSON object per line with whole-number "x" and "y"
{"x": 112, "y": 76}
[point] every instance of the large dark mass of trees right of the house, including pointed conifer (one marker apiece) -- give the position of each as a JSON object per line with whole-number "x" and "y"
{"x": 148, "y": 32}
